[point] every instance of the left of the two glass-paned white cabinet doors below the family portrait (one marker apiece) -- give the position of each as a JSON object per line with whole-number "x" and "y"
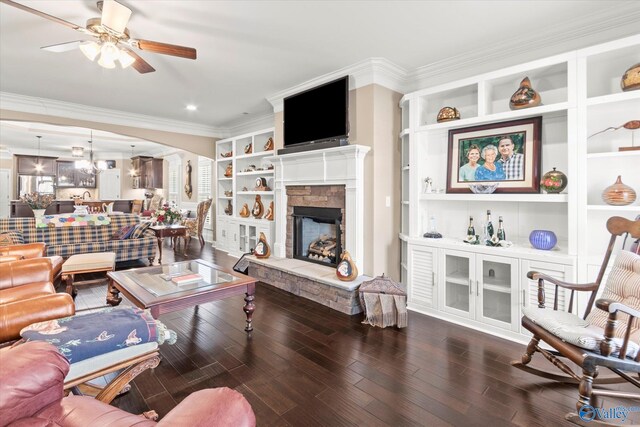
{"x": 458, "y": 287}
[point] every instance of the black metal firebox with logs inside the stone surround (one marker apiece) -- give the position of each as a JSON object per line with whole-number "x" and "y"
{"x": 317, "y": 234}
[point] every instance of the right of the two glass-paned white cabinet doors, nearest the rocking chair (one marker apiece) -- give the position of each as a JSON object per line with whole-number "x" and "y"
{"x": 496, "y": 289}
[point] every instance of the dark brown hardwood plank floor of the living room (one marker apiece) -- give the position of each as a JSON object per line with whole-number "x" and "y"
{"x": 307, "y": 365}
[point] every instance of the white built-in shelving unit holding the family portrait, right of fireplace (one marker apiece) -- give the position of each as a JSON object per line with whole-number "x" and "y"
{"x": 484, "y": 287}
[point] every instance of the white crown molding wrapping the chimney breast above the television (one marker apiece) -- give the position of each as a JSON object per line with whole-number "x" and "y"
{"x": 378, "y": 71}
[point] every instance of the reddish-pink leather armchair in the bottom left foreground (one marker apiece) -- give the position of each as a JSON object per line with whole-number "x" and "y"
{"x": 31, "y": 381}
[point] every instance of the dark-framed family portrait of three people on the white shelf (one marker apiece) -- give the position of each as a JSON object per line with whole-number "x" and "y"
{"x": 506, "y": 154}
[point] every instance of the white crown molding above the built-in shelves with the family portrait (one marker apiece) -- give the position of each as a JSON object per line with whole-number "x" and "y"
{"x": 617, "y": 23}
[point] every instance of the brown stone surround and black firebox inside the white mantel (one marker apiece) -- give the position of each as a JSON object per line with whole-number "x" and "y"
{"x": 315, "y": 223}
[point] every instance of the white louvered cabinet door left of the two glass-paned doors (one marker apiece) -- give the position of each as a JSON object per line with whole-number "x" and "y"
{"x": 422, "y": 277}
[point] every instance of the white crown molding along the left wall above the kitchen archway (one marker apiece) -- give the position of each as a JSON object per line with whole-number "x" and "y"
{"x": 51, "y": 107}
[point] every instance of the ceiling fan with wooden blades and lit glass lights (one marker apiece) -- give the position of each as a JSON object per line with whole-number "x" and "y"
{"x": 113, "y": 41}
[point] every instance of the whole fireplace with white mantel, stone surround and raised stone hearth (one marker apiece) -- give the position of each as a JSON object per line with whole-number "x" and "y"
{"x": 320, "y": 195}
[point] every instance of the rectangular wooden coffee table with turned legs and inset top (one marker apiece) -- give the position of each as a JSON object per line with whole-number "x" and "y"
{"x": 147, "y": 289}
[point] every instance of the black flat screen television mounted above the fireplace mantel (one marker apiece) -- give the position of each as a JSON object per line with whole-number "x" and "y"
{"x": 318, "y": 114}
